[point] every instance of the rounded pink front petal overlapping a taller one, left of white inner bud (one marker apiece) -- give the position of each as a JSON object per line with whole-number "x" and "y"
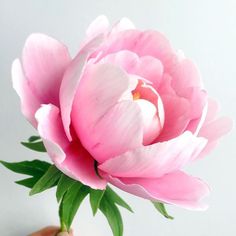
{"x": 118, "y": 130}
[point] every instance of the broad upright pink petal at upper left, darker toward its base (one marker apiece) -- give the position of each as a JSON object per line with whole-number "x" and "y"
{"x": 44, "y": 63}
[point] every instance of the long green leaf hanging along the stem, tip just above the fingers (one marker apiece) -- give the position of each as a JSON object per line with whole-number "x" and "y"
{"x": 70, "y": 203}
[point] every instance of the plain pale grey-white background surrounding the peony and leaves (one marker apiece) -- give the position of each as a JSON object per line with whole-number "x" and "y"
{"x": 205, "y": 30}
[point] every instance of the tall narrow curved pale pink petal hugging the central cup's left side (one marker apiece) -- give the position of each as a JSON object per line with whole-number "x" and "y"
{"x": 71, "y": 81}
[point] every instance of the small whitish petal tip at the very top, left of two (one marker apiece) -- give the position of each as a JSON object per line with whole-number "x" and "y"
{"x": 98, "y": 26}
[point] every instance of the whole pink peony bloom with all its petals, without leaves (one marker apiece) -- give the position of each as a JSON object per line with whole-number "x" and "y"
{"x": 128, "y": 110}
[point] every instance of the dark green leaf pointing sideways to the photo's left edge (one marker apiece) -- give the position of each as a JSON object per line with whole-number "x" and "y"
{"x": 27, "y": 167}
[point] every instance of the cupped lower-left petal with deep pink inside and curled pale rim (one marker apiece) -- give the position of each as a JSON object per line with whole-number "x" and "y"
{"x": 70, "y": 158}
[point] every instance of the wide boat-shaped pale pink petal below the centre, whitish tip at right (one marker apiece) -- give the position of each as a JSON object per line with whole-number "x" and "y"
{"x": 156, "y": 160}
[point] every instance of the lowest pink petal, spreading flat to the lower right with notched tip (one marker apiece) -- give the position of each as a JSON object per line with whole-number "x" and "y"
{"x": 175, "y": 188}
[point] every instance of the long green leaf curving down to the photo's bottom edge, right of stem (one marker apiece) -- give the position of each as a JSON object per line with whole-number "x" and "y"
{"x": 112, "y": 213}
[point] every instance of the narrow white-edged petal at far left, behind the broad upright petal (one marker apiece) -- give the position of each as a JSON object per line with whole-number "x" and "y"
{"x": 29, "y": 102}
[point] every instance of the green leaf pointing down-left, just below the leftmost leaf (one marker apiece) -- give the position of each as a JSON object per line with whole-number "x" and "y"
{"x": 48, "y": 180}
